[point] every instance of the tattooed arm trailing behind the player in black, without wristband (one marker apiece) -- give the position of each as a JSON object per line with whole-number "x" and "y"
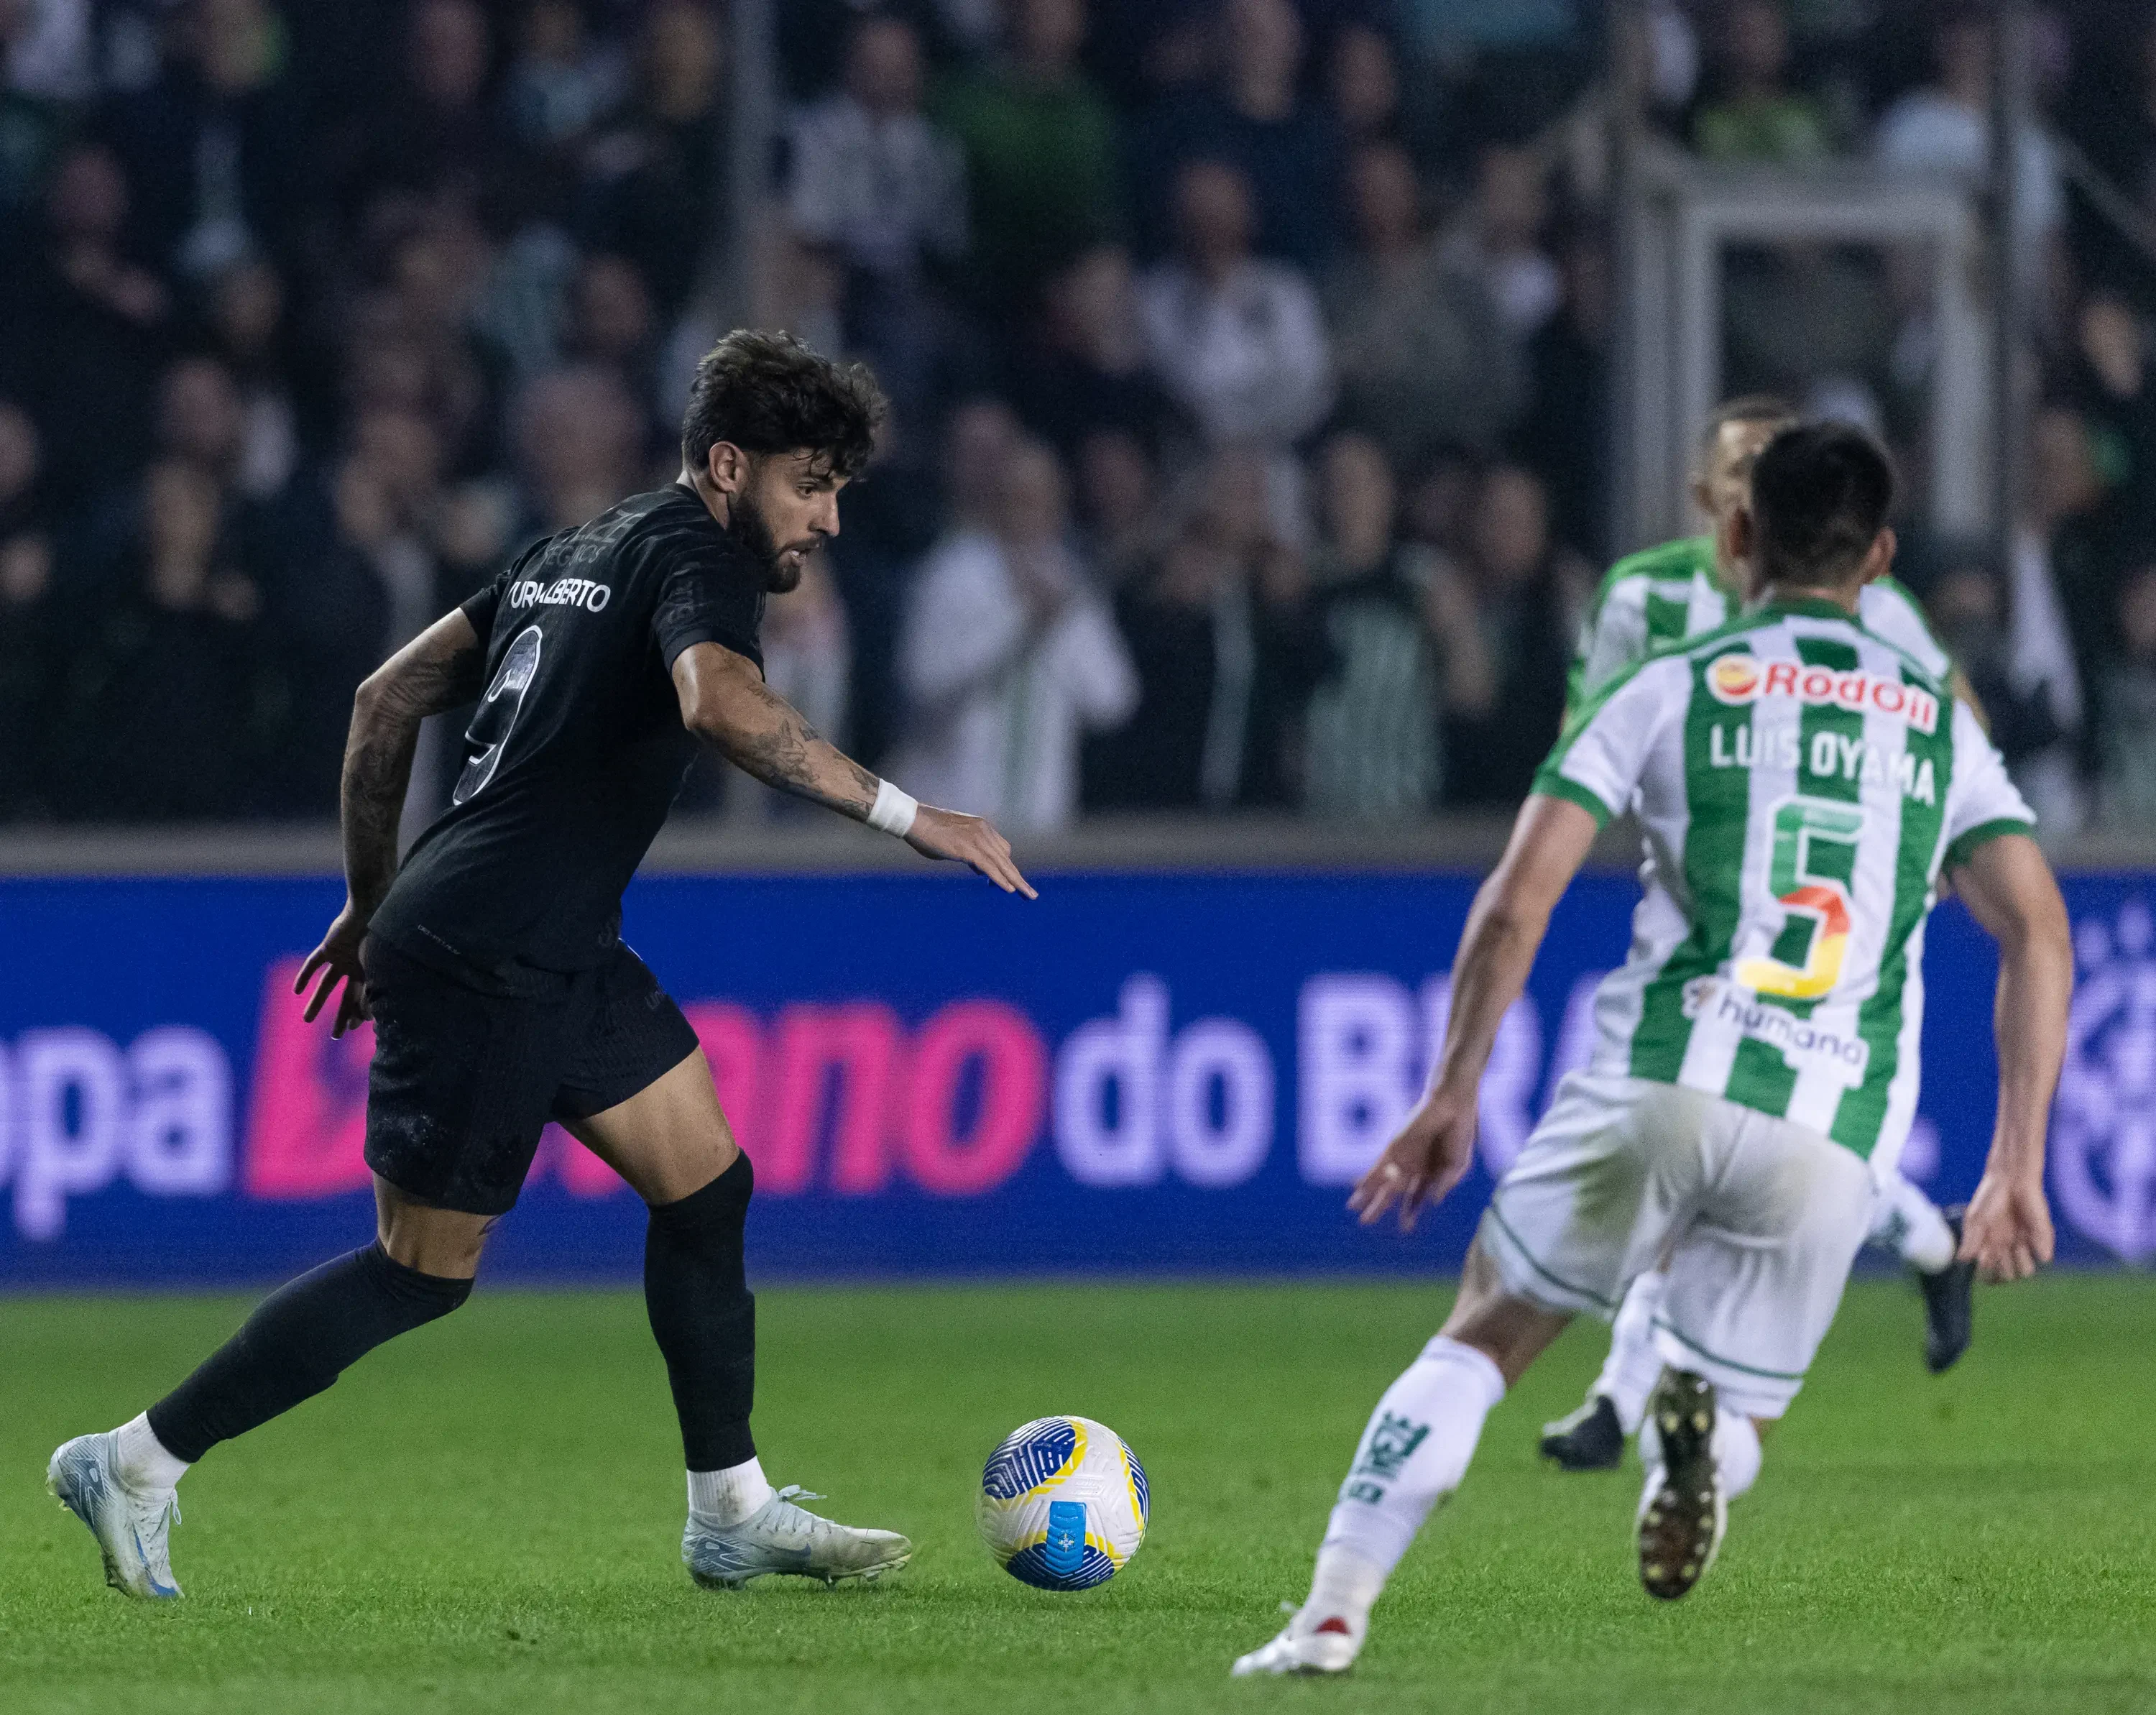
{"x": 441, "y": 668}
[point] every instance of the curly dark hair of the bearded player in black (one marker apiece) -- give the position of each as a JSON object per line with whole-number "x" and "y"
{"x": 771, "y": 394}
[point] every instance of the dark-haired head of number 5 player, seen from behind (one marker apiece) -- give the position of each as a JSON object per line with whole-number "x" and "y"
{"x": 1821, "y": 497}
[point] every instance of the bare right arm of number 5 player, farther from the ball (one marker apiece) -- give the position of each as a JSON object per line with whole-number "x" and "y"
{"x": 2010, "y": 890}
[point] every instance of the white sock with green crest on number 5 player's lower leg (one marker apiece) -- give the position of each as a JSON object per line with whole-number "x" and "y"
{"x": 1415, "y": 1453}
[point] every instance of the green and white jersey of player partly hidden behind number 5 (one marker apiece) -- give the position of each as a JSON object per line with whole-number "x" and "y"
{"x": 1668, "y": 594}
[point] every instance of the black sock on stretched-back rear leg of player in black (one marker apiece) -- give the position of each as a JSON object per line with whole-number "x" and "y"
{"x": 296, "y": 1343}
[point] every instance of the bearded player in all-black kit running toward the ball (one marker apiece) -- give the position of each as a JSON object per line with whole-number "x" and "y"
{"x": 497, "y": 978}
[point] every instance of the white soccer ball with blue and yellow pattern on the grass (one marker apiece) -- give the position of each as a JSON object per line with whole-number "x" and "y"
{"x": 1064, "y": 1505}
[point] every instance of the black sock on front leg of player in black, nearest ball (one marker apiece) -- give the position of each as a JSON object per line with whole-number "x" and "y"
{"x": 706, "y": 1317}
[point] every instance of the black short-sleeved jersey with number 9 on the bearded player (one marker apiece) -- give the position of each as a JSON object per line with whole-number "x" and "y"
{"x": 577, "y": 750}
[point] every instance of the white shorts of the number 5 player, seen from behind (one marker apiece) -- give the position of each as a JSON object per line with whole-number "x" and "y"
{"x": 1760, "y": 1222}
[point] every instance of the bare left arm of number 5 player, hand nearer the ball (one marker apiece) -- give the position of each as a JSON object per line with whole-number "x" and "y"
{"x": 1497, "y": 950}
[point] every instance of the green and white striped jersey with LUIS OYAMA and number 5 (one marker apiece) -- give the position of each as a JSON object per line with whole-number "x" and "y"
{"x": 1801, "y": 784}
